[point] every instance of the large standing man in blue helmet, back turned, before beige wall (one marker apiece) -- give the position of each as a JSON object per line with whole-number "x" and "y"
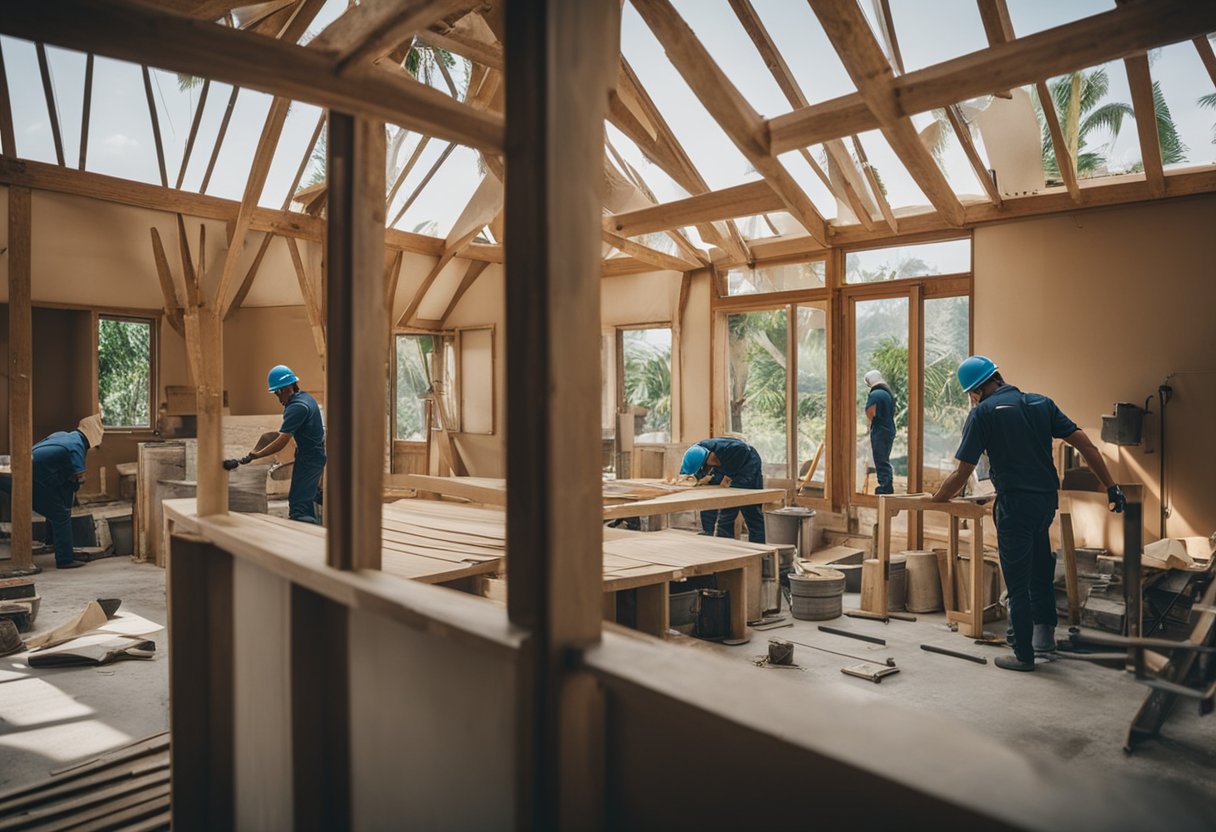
{"x": 1016, "y": 430}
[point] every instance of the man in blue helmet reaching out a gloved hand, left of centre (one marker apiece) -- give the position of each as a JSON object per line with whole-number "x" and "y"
{"x": 302, "y": 421}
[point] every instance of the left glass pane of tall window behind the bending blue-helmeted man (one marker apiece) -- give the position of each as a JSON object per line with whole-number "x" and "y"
{"x": 757, "y": 385}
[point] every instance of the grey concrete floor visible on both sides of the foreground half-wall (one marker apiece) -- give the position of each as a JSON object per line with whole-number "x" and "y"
{"x": 1069, "y": 711}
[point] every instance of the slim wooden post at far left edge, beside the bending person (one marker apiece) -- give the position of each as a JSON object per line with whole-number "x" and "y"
{"x": 21, "y": 381}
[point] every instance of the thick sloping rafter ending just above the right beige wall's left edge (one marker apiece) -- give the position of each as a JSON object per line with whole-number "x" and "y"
{"x": 863, "y": 58}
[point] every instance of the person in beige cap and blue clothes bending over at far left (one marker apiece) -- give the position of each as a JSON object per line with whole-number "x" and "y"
{"x": 59, "y": 471}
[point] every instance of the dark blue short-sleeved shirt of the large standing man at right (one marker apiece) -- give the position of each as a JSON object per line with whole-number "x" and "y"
{"x": 1017, "y": 432}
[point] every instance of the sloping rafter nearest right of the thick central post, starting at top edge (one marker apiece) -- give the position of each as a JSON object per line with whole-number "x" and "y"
{"x": 733, "y": 113}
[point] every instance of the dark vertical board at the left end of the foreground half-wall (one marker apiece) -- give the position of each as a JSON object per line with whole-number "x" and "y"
{"x": 201, "y": 715}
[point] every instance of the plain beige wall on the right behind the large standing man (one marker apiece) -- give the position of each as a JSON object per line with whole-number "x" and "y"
{"x": 1100, "y": 307}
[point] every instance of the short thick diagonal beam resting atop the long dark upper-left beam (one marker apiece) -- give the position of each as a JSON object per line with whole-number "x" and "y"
{"x": 371, "y": 30}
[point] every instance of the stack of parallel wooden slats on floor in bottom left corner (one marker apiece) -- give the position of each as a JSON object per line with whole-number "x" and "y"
{"x": 127, "y": 789}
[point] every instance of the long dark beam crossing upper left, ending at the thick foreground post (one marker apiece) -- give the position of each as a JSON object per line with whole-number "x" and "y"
{"x": 130, "y": 31}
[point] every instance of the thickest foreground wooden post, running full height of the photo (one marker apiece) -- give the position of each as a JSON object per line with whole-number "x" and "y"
{"x": 562, "y": 63}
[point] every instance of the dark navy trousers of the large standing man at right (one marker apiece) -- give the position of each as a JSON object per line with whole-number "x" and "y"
{"x": 1028, "y": 564}
